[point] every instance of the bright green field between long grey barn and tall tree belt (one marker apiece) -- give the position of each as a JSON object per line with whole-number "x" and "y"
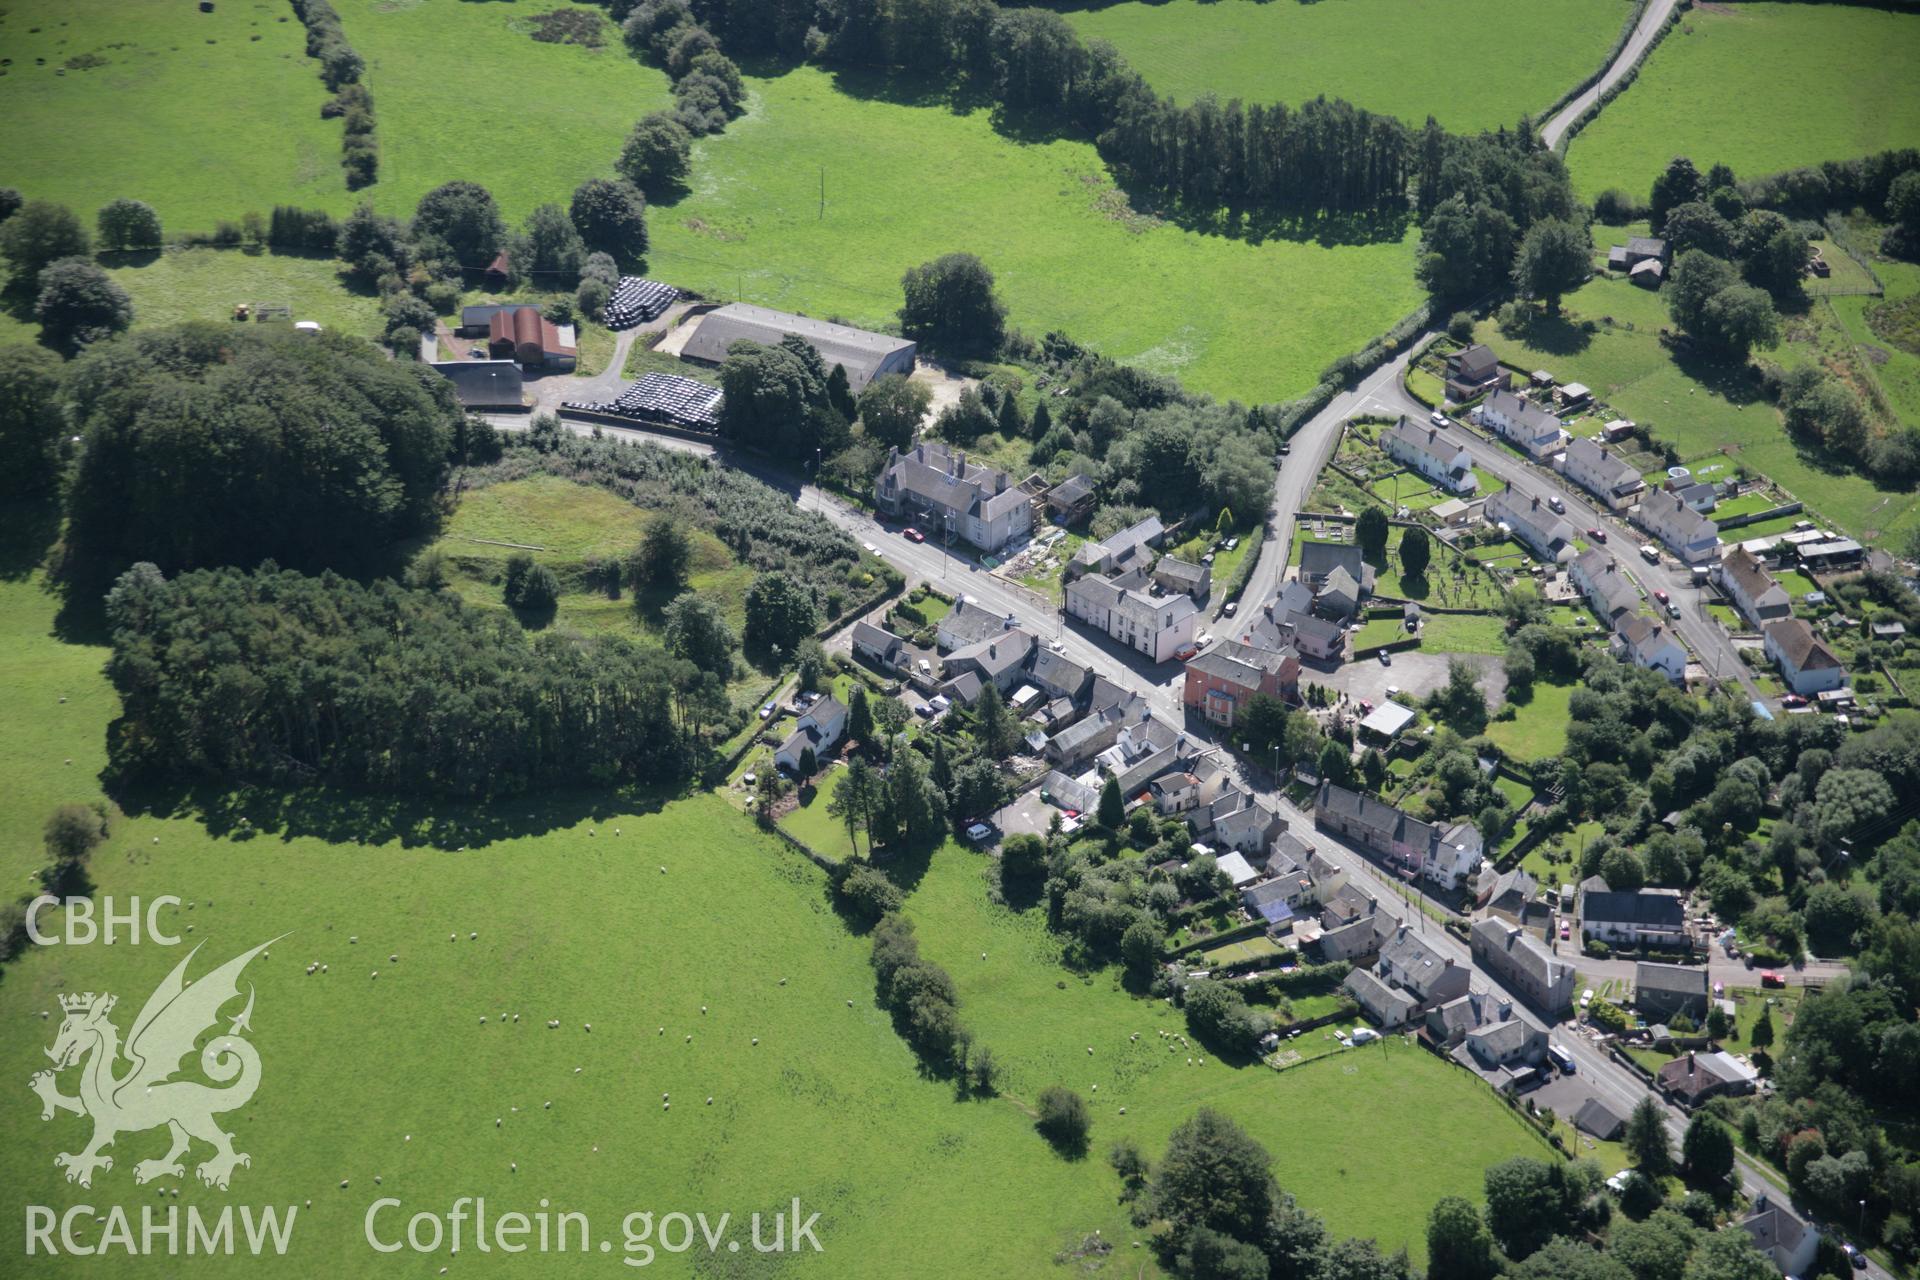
{"x": 1044, "y": 216}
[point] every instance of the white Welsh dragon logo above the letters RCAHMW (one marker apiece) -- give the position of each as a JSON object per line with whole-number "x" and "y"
{"x": 147, "y": 1097}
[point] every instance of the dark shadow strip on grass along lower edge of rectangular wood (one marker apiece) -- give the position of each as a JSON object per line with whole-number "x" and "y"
{"x": 364, "y": 818}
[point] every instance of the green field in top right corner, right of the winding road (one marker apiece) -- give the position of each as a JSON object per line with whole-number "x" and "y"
{"x": 1760, "y": 87}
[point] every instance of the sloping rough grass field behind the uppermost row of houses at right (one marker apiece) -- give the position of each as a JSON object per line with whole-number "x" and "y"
{"x": 1698, "y": 408}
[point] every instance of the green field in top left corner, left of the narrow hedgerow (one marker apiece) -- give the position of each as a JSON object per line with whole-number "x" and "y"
{"x": 160, "y": 120}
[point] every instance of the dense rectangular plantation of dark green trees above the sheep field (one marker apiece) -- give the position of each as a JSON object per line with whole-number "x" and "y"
{"x": 285, "y": 678}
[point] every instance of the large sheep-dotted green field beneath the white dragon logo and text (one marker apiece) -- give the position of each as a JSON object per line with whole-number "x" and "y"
{"x": 575, "y": 922}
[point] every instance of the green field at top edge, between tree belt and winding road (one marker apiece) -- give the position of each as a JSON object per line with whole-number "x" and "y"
{"x": 1380, "y": 55}
